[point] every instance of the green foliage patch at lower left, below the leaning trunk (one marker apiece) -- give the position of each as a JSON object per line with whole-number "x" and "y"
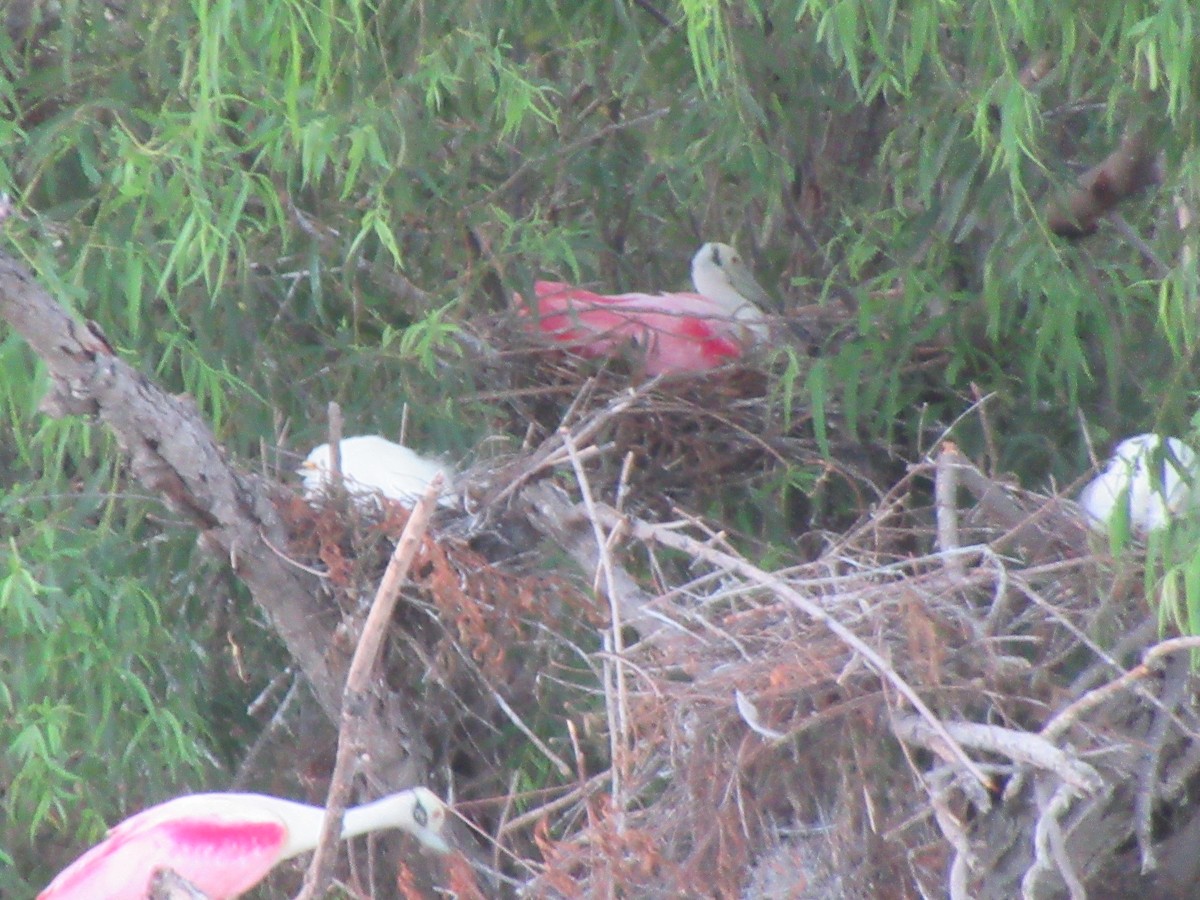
{"x": 93, "y": 663}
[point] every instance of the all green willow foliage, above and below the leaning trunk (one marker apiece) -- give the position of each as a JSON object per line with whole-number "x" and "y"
{"x": 227, "y": 188}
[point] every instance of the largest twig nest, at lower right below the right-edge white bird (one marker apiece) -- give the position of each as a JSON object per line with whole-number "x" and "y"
{"x": 993, "y": 717}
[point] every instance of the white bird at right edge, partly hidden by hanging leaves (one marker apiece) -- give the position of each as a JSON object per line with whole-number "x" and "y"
{"x": 1153, "y": 478}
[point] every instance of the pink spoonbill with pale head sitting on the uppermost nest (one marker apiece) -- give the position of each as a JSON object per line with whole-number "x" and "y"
{"x": 681, "y": 332}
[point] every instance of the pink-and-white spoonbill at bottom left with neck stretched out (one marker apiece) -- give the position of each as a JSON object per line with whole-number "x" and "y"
{"x": 226, "y": 843}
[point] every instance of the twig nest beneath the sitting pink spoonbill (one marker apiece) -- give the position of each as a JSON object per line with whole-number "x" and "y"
{"x": 681, "y": 440}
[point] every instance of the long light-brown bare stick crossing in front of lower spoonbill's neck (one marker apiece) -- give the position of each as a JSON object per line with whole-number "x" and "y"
{"x": 357, "y": 695}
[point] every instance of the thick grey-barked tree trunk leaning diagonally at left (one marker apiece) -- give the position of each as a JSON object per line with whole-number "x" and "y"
{"x": 172, "y": 453}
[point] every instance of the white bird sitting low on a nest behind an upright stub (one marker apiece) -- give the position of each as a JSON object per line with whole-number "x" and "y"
{"x": 371, "y": 466}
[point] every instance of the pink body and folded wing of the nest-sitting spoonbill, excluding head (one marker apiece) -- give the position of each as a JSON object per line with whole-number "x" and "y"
{"x": 681, "y": 333}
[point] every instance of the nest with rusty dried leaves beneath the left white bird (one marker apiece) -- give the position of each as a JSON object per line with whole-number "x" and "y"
{"x": 467, "y": 639}
